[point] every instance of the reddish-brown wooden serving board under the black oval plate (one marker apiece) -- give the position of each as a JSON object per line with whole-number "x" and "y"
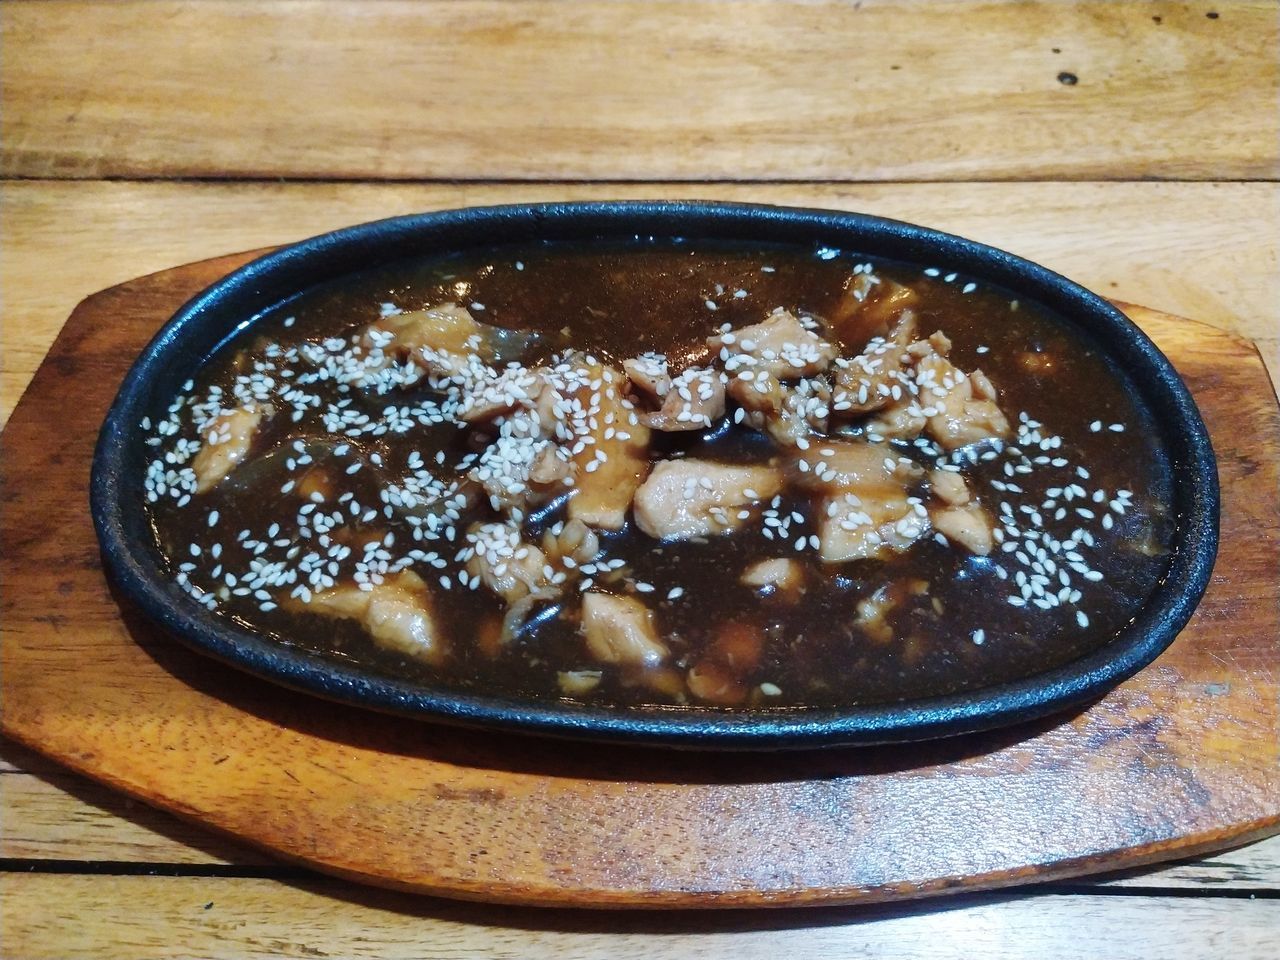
{"x": 1182, "y": 760}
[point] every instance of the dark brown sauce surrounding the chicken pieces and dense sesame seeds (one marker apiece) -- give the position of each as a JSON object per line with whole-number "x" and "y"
{"x": 620, "y": 300}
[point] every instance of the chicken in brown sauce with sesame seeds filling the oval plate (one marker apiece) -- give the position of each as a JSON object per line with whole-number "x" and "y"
{"x": 665, "y": 472}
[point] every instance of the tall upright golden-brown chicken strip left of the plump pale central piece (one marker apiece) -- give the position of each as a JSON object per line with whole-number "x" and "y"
{"x": 615, "y": 463}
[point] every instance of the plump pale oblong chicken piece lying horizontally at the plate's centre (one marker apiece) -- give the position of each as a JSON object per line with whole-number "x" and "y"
{"x": 687, "y": 499}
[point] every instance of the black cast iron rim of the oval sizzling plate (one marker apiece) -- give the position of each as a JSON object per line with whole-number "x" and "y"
{"x": 207, "y": 321}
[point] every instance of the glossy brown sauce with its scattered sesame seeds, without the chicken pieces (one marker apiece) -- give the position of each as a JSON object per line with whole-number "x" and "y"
{"x": 1080, "y": 442}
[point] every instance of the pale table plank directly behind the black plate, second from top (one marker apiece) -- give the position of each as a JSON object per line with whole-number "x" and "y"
{"x": 1204, "y": 250}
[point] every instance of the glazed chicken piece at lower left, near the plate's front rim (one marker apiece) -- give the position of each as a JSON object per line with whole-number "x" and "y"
{"x": 396, "y": 614}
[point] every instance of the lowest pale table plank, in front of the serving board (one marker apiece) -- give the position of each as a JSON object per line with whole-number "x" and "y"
{"x": 148, "y": 917}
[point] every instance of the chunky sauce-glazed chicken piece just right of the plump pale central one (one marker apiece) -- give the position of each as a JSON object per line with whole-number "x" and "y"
{"x": 868, "y": 510}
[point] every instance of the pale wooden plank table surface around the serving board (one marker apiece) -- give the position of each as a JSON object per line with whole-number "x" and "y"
{"x": 141, "y": 136}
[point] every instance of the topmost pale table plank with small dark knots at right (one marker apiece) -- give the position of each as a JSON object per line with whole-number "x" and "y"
{"x": 482, "y": 90}
